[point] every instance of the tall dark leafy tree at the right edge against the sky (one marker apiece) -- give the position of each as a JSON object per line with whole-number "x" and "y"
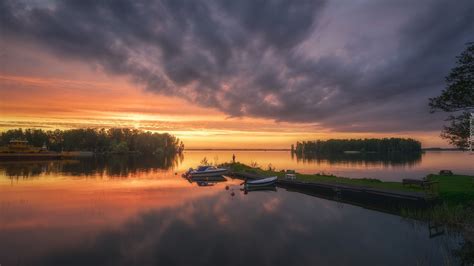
{"x": 458, "y": 98}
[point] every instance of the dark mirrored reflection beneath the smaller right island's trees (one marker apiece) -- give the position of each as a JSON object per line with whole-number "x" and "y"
{"x": 372, "y": 159}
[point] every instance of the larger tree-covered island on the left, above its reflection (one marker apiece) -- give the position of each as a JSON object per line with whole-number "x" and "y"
{"x": 114, "y": 140}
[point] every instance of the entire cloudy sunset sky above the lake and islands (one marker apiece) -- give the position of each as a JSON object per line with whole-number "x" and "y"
{"x": 231, "y": 74}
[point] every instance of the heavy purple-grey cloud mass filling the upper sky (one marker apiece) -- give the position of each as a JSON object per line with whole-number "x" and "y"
{"x": 355, "y": 66}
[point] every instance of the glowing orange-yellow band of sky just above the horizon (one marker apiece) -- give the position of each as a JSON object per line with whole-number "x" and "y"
{"x": 51, "y": 103}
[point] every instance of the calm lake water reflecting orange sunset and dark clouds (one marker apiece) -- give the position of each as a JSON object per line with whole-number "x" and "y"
{"x": 131, "y": 211}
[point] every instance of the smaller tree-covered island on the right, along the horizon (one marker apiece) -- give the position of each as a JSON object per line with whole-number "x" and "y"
{"x": 385, "y": 145}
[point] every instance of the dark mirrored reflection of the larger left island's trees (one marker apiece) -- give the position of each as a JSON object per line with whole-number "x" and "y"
{"x": 113, "y": 166}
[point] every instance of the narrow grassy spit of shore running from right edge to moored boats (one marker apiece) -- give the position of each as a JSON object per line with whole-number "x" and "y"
{"x": 452, "y": 203}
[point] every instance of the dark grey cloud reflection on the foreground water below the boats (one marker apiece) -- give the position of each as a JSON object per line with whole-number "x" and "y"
{"x": 192, "y": 234}
